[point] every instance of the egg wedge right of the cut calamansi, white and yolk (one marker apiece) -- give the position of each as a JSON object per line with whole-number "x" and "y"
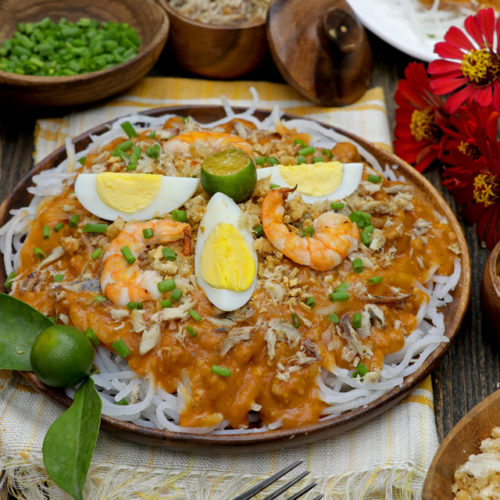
{"x": 318, "y": 181}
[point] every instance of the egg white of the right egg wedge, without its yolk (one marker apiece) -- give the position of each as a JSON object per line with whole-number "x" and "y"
{"x": 351, "y": 177}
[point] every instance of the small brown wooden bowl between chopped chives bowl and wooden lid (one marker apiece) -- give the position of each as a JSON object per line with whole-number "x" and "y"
{"x": 215, "y": 51}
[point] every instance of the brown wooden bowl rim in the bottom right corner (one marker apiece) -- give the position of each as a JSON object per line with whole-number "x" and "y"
{"x": 463, "y": 440}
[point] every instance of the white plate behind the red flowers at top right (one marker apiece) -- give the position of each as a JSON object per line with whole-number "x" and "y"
{"x": 390, "y": 21}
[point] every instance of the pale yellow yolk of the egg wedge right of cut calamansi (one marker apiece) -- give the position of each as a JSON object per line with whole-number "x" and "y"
{"x": 318, "y": 179}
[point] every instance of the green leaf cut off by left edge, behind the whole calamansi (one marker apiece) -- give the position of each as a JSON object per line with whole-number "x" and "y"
{"x": 20, "y": 325}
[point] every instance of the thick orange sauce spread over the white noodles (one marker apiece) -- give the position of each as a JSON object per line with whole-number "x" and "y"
{"x": 254, "y": 379}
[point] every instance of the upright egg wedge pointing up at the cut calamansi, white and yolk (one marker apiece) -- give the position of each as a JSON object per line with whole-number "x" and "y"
{"x": 225, "y": 261}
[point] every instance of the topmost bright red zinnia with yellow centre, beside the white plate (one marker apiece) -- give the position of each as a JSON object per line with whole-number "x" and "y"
{"x": 470, "y": 70}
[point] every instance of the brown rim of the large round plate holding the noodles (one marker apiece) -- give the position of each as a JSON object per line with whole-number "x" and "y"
{"x": 453, "y": 314}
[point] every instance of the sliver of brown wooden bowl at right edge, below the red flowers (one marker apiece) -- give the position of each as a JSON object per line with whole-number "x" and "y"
{"x": 490, "y": 290}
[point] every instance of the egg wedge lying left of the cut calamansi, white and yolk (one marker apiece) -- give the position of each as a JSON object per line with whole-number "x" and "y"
{"x": 110, "y": 195}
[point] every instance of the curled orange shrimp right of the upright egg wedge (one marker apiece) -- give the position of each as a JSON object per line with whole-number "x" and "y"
{"x": 335, "y": 236}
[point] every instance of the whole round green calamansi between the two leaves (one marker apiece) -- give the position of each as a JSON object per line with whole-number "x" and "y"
{"x": 61, "y": 356}
